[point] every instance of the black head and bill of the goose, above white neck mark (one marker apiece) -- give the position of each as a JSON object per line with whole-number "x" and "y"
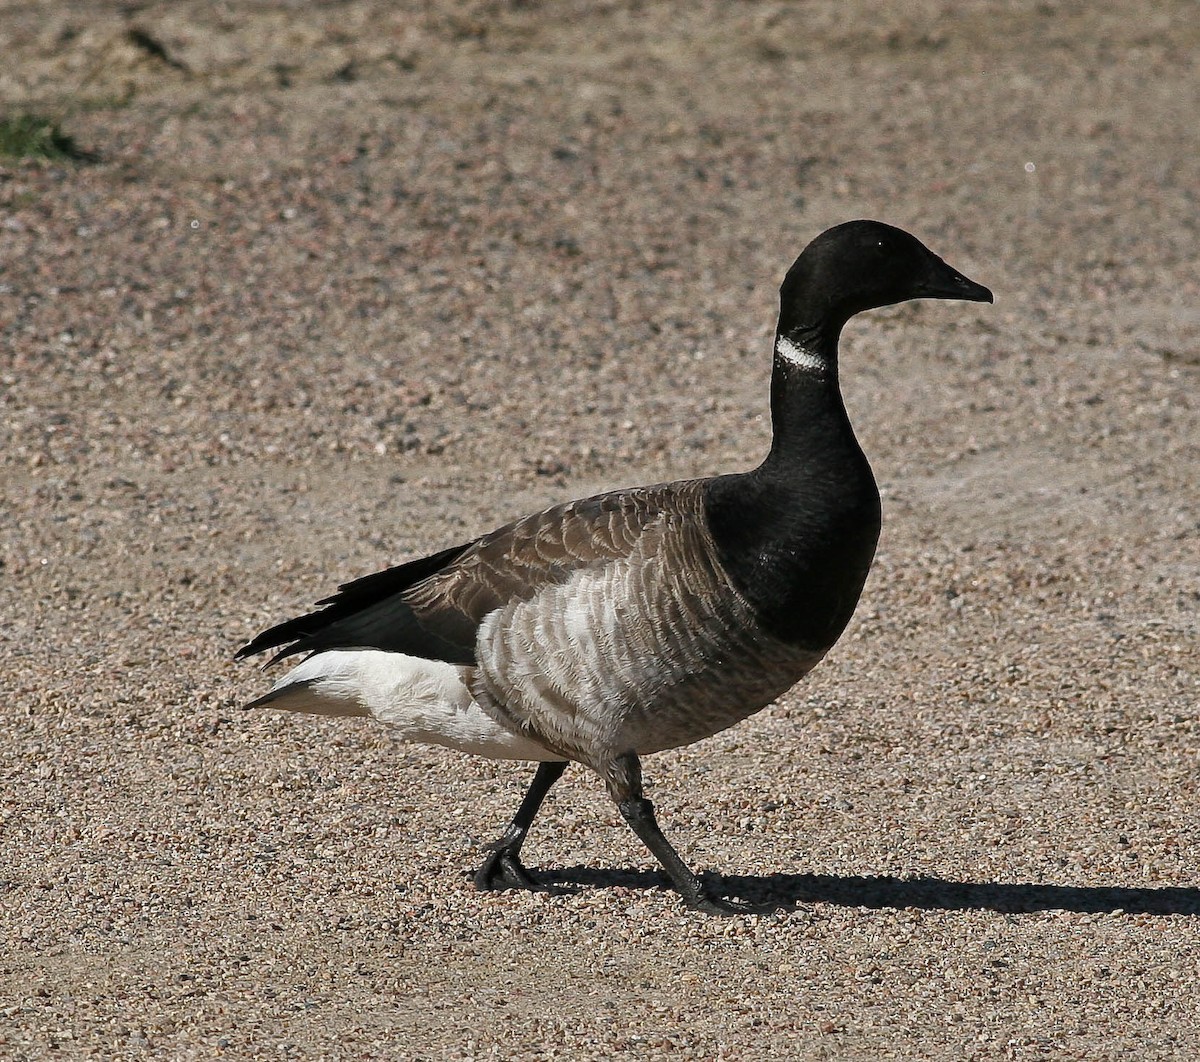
{"x": 860, "y": 266}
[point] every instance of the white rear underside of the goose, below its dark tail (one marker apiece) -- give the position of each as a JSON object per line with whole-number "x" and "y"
{"x": 427, "y": 701}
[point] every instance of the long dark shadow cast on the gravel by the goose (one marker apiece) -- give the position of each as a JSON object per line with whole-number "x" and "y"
{"x": 788, "y": 892}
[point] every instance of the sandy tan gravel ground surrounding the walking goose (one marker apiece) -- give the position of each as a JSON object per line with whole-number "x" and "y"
{"x": 356, "y": 281}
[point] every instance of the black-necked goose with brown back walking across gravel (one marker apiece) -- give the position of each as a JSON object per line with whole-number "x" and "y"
{"x": 603, "y": 631}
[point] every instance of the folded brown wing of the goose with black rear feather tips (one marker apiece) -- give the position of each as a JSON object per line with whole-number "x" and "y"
{"x": 433, "y": 608}
